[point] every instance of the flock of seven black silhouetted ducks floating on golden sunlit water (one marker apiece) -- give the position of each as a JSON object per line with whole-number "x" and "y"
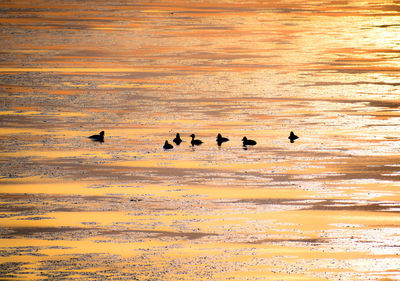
{"x": 195, "y": 142}
